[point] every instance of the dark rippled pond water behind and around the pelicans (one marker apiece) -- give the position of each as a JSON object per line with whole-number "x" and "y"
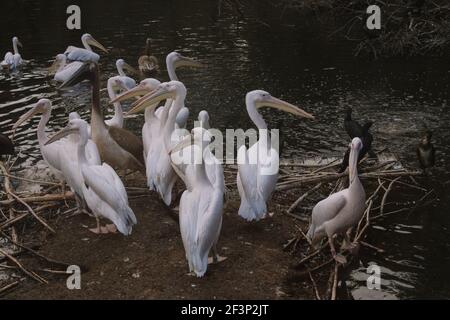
{"x": 295, "y": 62}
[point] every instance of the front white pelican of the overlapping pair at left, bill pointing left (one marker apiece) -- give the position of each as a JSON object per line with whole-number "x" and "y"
{"x": 103, "y": 190}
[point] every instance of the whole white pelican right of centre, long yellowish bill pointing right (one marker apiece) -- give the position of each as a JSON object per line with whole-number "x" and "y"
{"x": 258, "y": 166}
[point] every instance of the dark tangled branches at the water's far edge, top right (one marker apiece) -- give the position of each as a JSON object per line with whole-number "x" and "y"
{"x": 408, "y": 27}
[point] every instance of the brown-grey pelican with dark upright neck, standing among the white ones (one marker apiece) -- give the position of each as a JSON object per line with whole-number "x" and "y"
{"x": 118, "y": 147}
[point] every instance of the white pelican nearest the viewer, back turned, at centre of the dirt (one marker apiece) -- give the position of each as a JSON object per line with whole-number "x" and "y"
{"x": 201, "y": 204}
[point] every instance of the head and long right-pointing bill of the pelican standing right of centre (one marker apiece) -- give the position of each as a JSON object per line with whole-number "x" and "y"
{"x": 260, "y": 98}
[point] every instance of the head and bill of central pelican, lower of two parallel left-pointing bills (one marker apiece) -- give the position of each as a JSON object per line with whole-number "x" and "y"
{"x": 166, "y": 90}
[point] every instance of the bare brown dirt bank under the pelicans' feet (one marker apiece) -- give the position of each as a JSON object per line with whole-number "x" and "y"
{"x": 150, "y": 264}
